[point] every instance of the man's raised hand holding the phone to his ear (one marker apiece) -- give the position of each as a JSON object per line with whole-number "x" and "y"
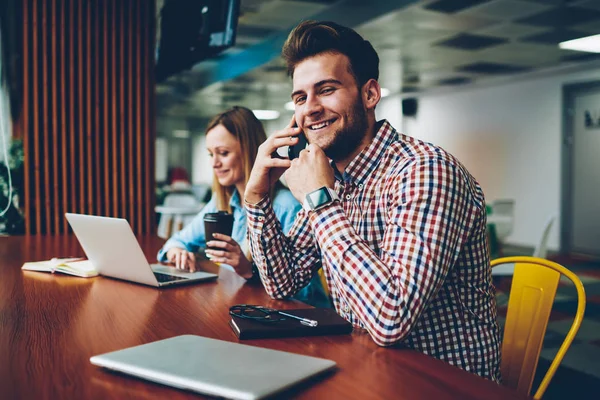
{"x": 267, "y": 169}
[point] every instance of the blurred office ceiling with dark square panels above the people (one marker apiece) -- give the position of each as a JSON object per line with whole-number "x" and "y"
{"x": 422, "y": 44}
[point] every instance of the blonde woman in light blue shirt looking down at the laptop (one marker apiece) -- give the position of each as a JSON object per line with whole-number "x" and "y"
{"x": 232, "y": 141}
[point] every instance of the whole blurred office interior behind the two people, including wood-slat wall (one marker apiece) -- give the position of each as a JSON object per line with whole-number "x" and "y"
{"x": 104, "y": 104}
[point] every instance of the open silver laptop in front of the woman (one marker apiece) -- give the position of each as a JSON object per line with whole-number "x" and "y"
{"x": 111, "y": 246}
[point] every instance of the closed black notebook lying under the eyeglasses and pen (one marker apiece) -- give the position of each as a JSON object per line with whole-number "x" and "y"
{"x": 329, "y": 323}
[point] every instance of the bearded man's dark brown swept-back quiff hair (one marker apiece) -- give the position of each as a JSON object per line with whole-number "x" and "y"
{"x": 310, "y": 38}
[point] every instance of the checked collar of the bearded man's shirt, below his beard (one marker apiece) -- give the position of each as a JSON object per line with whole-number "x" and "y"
{"x": 363, "y": 165}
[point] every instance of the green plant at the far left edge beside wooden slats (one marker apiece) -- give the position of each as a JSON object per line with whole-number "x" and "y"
{"x": 12, "y": 222}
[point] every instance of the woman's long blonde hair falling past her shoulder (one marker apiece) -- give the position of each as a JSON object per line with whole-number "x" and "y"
{"x": 247, "y": 129}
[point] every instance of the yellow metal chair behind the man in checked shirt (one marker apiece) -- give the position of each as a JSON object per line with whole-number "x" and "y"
{"x": 532, "y": 293}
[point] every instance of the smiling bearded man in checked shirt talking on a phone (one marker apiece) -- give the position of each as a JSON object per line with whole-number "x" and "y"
{"x": 397, "y": 224}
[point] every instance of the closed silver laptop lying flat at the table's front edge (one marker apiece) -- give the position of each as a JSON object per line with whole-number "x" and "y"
{"x": 214, "y": 367}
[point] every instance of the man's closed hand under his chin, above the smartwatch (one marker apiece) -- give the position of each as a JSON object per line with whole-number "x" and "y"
{"x": 309, "y": 172}
